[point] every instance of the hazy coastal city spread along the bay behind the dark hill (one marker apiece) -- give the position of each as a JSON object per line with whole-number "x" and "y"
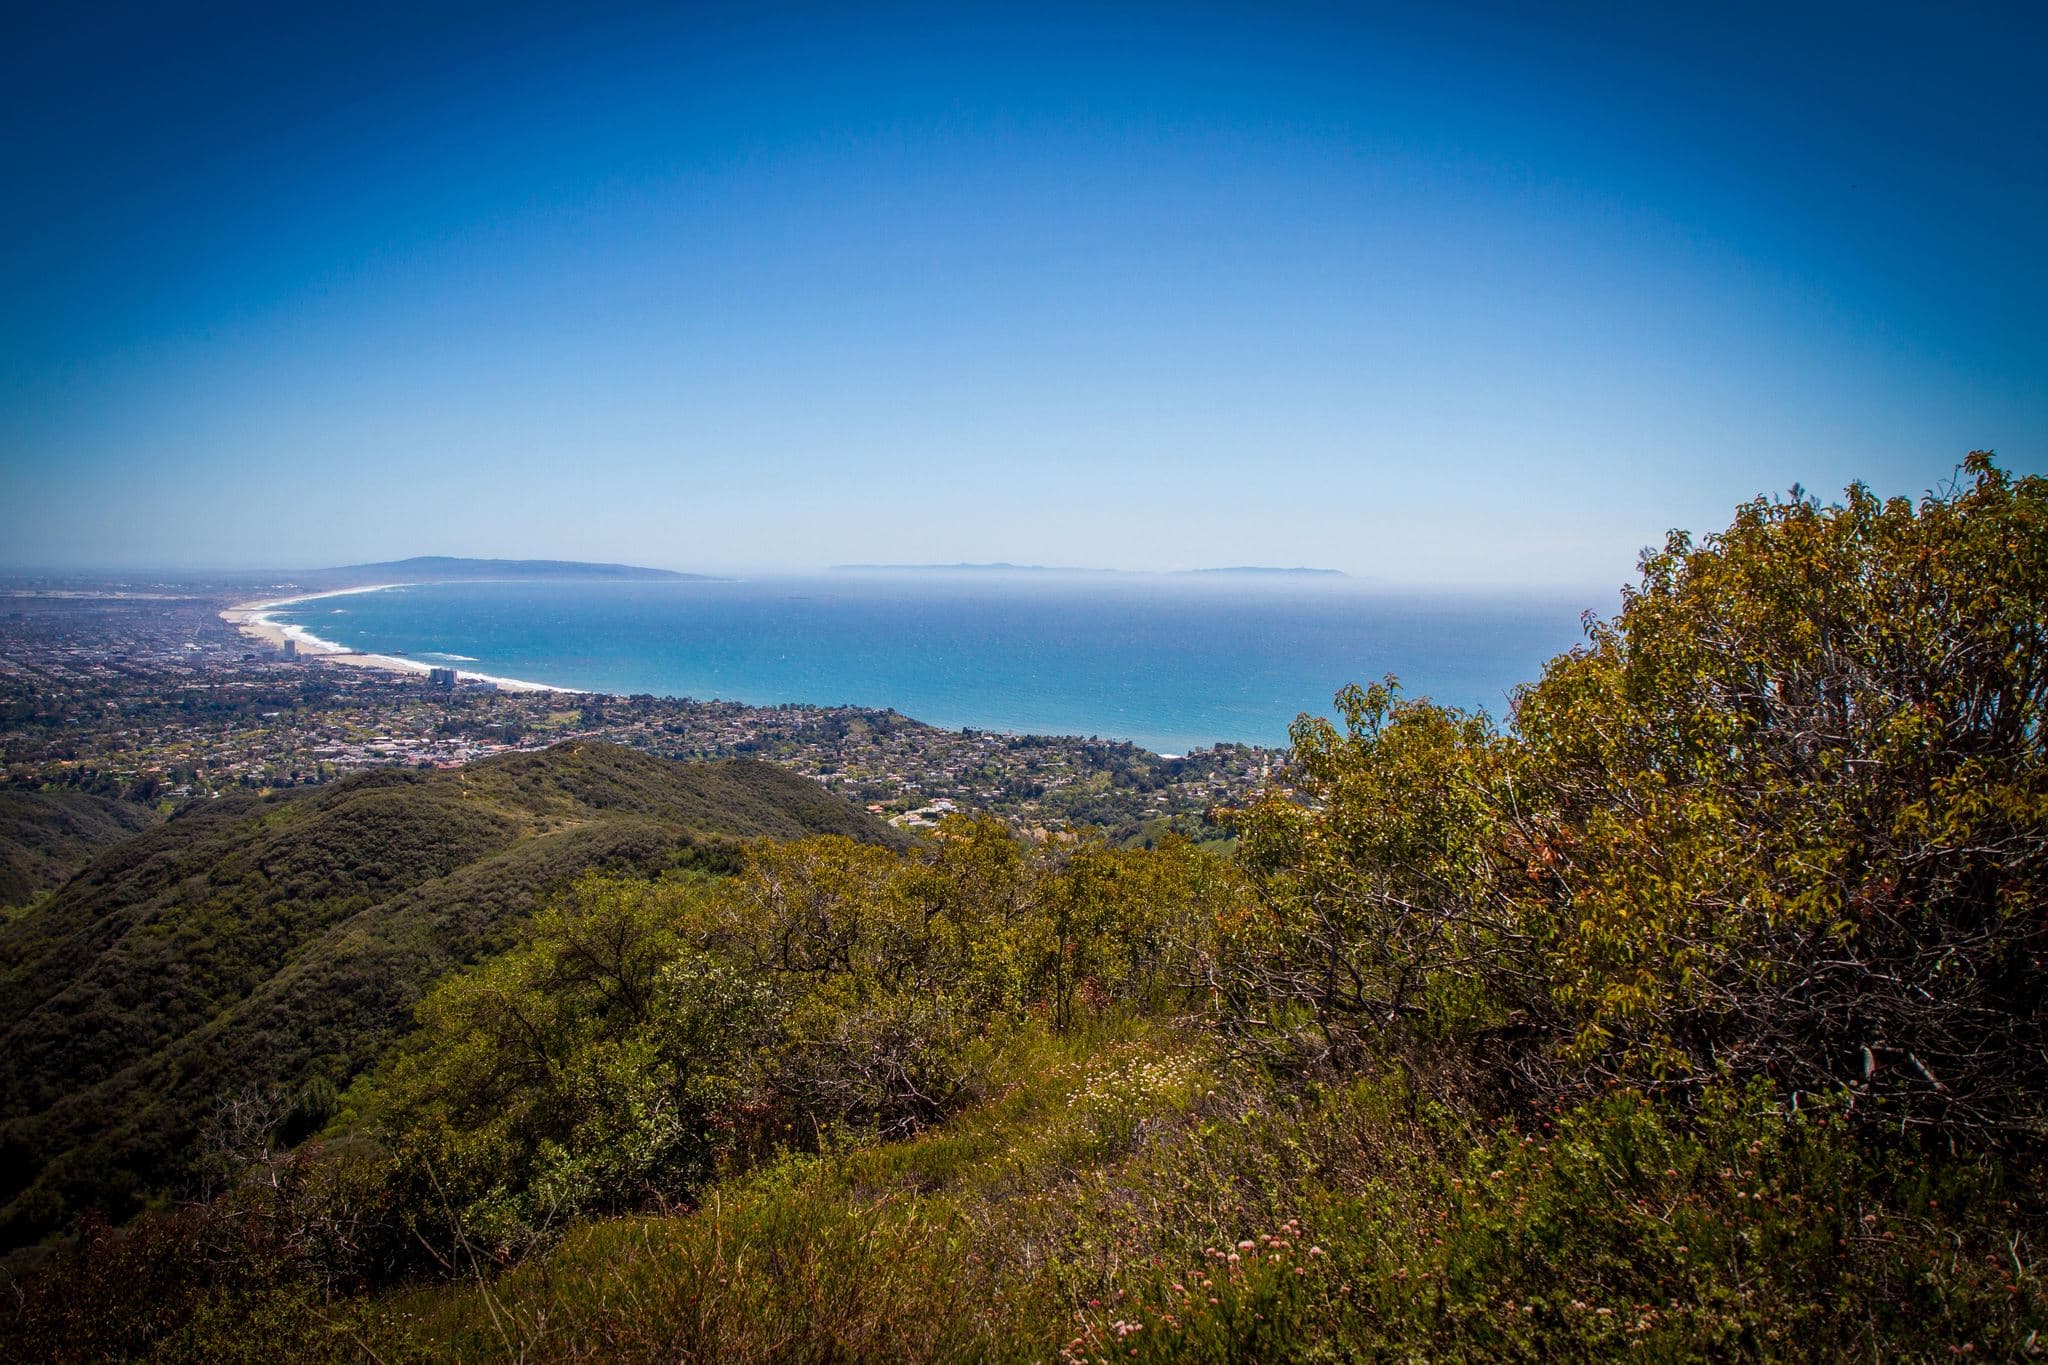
{"x": 146, "y": 693}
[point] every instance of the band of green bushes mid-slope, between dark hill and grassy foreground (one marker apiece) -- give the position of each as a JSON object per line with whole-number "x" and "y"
{"x": 646, "y": 1032}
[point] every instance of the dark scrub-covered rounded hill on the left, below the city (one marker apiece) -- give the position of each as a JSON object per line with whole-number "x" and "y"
{"x": 284, "y": 940}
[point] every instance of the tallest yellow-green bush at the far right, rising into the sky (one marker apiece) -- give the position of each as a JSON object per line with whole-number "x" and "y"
{"x": 1795, "y": 805}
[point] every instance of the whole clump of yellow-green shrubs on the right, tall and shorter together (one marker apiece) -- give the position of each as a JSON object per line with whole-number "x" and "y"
{"x": 1787, "y": 816}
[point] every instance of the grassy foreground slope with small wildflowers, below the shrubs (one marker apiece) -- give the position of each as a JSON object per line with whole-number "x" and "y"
{"x": 1132, "y": 1198}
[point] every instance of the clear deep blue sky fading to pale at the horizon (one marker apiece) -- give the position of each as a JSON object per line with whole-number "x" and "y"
{"x": 1439, "y": 294}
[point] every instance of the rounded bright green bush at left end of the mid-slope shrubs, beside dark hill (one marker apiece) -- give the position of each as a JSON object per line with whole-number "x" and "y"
{"x": 572, "y": 1075}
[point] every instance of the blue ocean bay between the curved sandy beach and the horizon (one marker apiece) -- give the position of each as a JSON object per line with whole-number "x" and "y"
{"x": 1170, "y": 662}
